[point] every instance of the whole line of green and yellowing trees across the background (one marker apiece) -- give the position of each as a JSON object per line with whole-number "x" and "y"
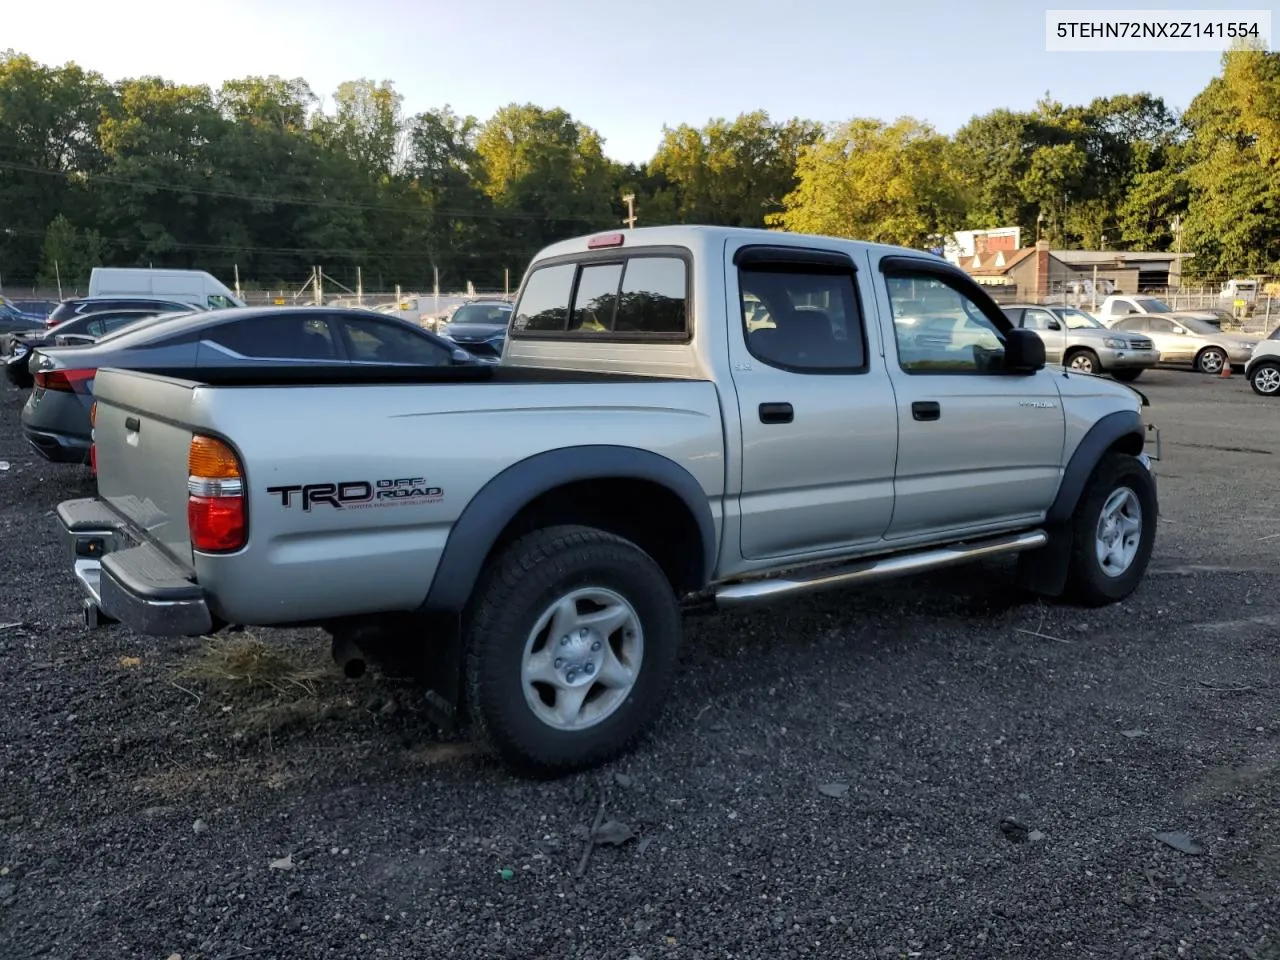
{"x": 257, "y": 176}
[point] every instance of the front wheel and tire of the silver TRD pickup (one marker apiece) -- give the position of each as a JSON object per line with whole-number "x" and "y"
{"x": 1119, "y": 479}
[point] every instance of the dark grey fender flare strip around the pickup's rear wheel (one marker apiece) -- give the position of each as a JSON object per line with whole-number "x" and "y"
{"x": 511, "y": 491}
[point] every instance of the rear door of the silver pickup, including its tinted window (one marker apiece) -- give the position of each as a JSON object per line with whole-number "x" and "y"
{"x": 819, "y": 419}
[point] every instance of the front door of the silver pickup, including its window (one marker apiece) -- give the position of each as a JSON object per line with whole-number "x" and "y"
{"x": 979, "y": 449}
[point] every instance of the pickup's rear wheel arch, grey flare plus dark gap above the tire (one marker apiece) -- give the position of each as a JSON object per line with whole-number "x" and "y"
{"x": 630, "y": 492}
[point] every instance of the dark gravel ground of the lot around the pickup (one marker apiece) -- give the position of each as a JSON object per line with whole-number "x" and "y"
{"x": 830, "y": 779}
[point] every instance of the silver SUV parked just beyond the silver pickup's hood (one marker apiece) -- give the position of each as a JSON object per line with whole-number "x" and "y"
{"x": 1080, "y": 342}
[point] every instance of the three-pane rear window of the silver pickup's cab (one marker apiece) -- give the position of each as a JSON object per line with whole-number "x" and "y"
{"x": 623, "y": 299}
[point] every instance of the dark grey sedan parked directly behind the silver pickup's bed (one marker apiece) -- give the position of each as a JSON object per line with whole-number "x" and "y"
{"x": 56, "y": 420}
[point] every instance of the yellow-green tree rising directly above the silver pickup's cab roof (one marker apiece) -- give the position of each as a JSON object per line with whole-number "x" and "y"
{"x": 892, "y": 184}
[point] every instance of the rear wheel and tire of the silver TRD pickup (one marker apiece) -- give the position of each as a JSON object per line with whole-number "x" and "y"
{"x": 564, "y": 573}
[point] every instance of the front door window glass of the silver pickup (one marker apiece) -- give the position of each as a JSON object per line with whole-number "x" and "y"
{"x": 940, "y": 330}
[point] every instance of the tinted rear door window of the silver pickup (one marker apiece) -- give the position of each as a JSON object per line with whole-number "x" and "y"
{"x": 803, "y": 321}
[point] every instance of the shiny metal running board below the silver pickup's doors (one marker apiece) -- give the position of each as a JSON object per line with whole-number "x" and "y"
{"x": 752, "y": 592}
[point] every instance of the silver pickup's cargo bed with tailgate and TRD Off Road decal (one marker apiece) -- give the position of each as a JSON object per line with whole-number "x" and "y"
{"x": 308, "y": 428}
